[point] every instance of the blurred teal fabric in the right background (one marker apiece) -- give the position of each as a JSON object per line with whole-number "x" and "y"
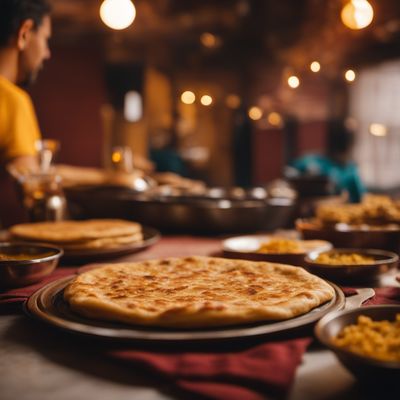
{"x": 344, "y": 176}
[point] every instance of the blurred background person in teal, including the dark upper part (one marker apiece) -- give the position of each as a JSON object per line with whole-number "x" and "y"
{"x": 337, "y": 162}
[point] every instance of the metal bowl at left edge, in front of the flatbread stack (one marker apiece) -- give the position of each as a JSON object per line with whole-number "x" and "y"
{"x": 31, "y": 263}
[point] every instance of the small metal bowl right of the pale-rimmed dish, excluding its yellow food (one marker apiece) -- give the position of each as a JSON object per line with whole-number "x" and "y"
{"x": 358, "y": 273}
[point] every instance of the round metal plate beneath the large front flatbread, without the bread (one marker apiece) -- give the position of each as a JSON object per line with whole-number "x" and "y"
{"x": 48, "y": 305}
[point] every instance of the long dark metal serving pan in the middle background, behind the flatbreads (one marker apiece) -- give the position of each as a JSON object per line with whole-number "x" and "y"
{"x": 217, "y": 210}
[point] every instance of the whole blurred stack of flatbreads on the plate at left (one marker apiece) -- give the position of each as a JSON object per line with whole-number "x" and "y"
{"x": 81, "y": 235}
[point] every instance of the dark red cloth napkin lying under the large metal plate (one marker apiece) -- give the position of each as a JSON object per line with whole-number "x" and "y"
{"x": 255, "y": 372}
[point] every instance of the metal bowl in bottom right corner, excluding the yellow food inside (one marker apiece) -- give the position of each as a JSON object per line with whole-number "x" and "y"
{"x": 361, "y": 366}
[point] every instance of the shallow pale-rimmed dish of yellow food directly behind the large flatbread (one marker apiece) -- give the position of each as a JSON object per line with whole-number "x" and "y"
{"x": 272, "y": 248}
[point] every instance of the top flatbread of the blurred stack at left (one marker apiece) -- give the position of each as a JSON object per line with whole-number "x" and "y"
{"x": 63, "y": 232}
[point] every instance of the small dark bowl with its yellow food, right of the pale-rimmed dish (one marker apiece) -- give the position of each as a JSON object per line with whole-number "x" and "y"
{"x": 351, "y": 265}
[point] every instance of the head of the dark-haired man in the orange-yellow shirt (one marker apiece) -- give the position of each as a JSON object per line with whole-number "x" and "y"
{"x": 25, "y": 26}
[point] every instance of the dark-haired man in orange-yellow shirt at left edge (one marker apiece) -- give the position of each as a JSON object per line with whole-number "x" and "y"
{"x": 25, "y": 29}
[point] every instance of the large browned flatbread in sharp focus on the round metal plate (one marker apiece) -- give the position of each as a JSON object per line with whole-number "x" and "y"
{"x": 196, "y": 292}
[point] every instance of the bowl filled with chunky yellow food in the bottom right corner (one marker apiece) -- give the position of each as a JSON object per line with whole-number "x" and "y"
{"x": 366, "y": 340}
